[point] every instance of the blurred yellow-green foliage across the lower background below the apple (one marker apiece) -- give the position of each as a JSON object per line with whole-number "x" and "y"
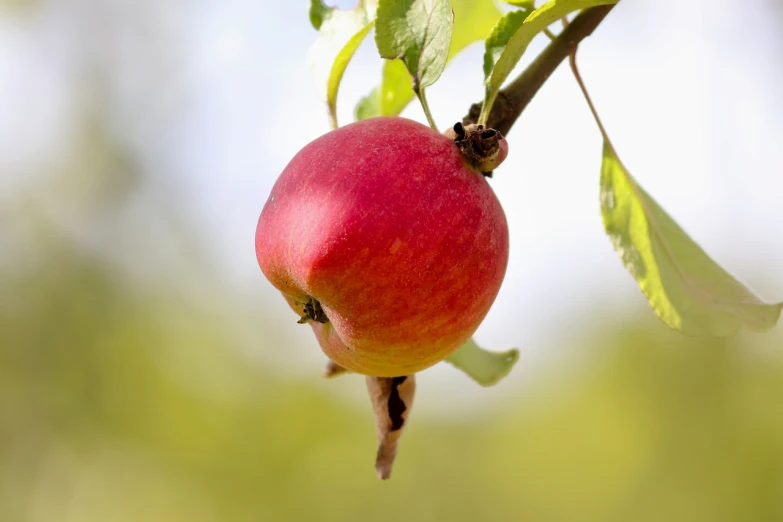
{"x": 121, "y": 403}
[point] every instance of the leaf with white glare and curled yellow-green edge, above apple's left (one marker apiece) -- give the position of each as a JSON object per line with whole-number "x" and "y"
{"x": 342, "y": 32}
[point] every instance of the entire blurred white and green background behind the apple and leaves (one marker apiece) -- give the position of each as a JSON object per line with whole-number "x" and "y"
{"x": 149, "y": 372}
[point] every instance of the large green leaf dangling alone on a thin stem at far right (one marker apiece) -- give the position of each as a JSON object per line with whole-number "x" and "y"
{"x": 689, "y": 291}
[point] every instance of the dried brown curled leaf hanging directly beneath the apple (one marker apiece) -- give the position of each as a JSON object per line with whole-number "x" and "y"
{"x": 392, "y": 399}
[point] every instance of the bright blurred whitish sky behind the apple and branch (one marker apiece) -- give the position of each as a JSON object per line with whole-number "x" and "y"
{"x": 217, "y": 96}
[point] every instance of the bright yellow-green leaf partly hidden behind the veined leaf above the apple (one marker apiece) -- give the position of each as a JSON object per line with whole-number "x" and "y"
{"x": 473, "y": 20}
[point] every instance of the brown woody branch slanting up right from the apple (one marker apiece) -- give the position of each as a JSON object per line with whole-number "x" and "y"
{"x": 512, "y": 100}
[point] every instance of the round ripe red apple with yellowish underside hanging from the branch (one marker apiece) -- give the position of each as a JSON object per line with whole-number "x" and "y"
{"x": 403, "y": 243}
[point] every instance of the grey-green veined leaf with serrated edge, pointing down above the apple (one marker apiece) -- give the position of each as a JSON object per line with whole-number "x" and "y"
{"x": 419, "y": 33}
